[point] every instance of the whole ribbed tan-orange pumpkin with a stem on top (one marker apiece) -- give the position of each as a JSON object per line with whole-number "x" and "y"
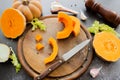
{"x": 30, "y": 8}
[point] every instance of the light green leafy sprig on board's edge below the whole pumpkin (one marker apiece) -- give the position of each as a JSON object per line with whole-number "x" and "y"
{"x": 38, "y": 24}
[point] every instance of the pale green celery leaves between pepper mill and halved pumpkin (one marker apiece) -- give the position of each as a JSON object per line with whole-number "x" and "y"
{"x": 97, "y": 27}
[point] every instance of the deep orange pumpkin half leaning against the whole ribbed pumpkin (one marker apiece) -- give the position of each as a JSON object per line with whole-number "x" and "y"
{"x": 13, "y": 23}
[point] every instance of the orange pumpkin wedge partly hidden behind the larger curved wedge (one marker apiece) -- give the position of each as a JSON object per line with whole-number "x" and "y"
{"x": 76, "y": 25}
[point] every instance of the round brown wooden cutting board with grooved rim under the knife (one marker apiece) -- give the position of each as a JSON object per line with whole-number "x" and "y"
{"x": 33, "y": 60}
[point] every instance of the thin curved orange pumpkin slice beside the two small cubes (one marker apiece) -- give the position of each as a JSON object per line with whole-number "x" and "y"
{"x": 53, "y": 55}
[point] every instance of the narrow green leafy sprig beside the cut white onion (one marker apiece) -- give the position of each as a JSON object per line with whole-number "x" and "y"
{"x": 15, "y": 61}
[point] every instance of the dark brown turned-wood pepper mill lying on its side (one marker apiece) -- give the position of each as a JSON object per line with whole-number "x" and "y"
{"x": 108, "y": 15}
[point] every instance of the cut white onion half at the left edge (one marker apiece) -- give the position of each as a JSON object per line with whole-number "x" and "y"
{"x": 4, "y": 52}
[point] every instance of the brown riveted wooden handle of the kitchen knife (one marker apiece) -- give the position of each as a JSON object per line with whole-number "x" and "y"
{"x": 49, "y": 70}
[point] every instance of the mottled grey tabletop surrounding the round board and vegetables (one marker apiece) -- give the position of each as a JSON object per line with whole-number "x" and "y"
{"x": 110, "y": 71}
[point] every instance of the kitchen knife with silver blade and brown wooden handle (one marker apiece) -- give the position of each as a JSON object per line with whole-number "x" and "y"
{"x": 64, "y": 58}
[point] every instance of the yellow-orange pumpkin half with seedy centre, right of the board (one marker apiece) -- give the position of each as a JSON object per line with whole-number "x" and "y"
{"x": 107, "y": 46}
